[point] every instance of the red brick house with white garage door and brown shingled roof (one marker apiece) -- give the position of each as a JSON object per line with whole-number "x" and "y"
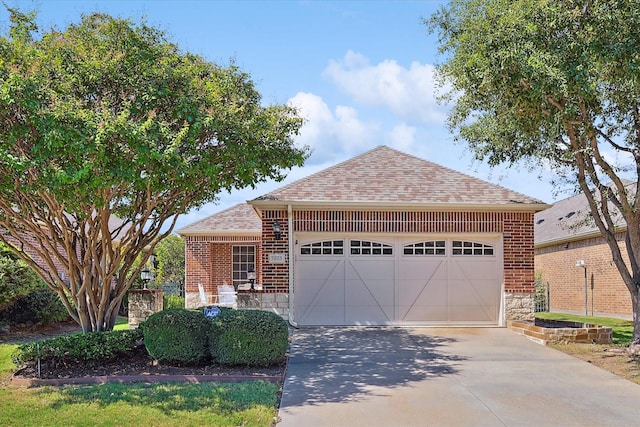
{"x": 384, "y": 238}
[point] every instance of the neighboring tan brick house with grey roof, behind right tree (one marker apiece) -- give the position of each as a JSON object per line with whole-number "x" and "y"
{"x": 574, "y": 260}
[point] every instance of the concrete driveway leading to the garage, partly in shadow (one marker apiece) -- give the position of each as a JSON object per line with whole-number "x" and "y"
{"x": 445, "y": 377}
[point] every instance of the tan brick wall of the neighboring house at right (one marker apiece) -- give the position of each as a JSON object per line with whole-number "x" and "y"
{"x": 557, "y": 266}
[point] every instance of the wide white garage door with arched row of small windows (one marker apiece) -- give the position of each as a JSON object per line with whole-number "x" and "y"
{"x": 374, "y": 280}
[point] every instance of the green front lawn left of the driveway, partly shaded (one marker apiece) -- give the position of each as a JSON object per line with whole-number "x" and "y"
{"x": 171, "y": 404}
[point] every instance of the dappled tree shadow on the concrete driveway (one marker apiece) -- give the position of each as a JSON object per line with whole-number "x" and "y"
{"x": 343, "y": 364}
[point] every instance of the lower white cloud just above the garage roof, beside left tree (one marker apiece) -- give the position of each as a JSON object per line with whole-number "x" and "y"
{"x": 333, "y": 135}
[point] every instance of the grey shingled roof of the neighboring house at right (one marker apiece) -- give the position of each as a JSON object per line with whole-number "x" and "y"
{"x": 567, "y": 220}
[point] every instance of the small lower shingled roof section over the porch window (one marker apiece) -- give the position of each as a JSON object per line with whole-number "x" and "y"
{"x": 240, "y": 219}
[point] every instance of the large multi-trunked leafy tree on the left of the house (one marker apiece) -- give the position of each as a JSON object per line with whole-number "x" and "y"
{"x": 107, "y": 119}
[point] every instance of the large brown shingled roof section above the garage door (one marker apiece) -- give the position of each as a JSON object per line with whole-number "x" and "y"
{"x": 384, "y": 177}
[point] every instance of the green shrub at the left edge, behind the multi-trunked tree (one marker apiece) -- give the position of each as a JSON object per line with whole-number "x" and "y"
{"x": 17, "y": 279}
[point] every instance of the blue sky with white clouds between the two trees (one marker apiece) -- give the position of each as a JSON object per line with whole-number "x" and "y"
{"x": 360, "y": 72}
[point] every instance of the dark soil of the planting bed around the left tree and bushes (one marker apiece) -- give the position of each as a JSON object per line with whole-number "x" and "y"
{"x": 137, "y": 363}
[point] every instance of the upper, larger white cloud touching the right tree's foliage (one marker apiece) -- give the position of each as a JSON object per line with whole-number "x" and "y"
{"x": 409, "y": 93}
